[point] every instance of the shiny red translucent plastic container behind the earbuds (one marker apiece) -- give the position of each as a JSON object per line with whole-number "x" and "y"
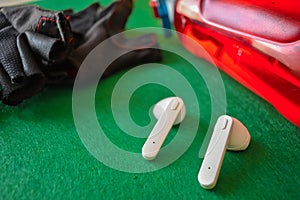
{"x": 257, "y": 42}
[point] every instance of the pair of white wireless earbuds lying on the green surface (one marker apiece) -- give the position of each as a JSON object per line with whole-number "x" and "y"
{"x": 228, "y": 133}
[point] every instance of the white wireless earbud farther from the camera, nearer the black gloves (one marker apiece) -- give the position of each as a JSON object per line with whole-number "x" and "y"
{"x": 169, "y": 111}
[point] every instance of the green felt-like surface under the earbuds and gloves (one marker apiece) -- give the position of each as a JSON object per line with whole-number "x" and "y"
{"x": 42, "y": 156}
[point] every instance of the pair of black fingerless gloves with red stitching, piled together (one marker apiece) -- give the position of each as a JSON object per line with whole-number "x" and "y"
{"x": 39, "y": 47}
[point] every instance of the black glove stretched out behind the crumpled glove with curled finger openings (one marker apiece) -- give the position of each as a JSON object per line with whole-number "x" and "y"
{"x": 95, "y": 24}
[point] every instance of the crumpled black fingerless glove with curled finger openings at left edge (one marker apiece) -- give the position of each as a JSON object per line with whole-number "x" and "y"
{"x": 28, "y": 37}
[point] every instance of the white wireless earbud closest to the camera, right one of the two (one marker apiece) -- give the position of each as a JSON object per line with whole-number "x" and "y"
{"x": 228, "y": 132}
